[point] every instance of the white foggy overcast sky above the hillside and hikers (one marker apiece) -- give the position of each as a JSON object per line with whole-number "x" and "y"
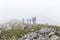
{"x": 46, "y": 11}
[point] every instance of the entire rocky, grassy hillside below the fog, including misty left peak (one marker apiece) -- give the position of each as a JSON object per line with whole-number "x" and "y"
{"x": 16, "y": 30}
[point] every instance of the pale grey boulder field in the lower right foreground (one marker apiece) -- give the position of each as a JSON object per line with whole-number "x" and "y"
{"x": 42, "y": 34}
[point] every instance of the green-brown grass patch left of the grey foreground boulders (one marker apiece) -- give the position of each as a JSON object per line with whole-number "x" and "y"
{"x": 16, "y": 32}
